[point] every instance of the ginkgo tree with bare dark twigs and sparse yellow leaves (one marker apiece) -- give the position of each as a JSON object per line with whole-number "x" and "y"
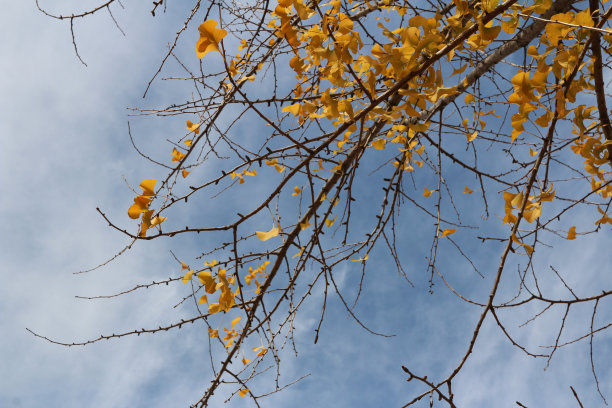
{"x": 486, "y": 122}
